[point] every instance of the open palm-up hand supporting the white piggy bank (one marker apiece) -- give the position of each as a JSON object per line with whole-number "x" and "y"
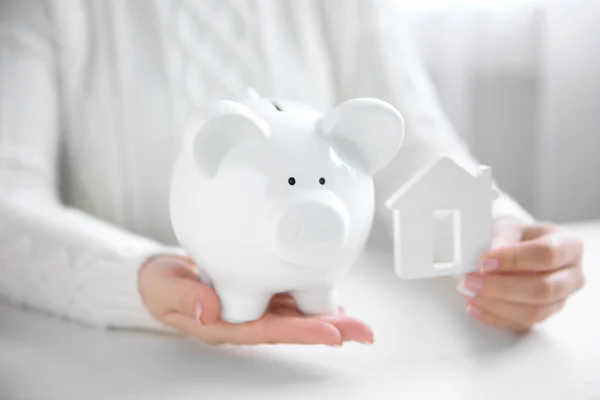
{"x": 174, "y": 295}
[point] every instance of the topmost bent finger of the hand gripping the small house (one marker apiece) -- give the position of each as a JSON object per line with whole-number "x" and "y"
{"x": 545, "y": 253}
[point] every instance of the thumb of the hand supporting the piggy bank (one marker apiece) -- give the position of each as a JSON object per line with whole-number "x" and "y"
{"x": 188, "y": 297}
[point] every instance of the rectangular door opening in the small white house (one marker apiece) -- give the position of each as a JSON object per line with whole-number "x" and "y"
{"x": 446, "y": 239}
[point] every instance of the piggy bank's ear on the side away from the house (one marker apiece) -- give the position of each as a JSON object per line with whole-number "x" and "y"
{"x": 219, "y": 130}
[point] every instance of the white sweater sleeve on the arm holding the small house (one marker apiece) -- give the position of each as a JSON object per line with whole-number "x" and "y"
{"x": 372, "y": 56}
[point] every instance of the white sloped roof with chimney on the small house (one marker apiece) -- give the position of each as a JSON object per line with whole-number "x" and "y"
{"x": 444, "y": 165}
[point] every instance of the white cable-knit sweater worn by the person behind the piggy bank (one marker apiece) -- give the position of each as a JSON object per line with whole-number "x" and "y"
{"x": 93, "y": 96}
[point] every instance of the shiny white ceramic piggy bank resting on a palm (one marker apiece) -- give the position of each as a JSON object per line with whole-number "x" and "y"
{"x": 272, "y": 196}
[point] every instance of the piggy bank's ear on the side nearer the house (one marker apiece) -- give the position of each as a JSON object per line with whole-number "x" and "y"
{"x": 365, "y": 132}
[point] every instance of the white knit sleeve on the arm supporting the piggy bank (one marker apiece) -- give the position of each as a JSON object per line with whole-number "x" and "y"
{"x": 54, "y": 258}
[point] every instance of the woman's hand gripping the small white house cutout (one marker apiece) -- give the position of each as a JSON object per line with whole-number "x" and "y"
{"x": 526, "y": 277}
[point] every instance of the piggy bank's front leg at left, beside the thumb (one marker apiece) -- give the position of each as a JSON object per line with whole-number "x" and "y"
{"x": 238, "y": 306}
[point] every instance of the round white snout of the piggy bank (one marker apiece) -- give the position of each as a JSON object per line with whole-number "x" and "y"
{"x": 311, "y": 232}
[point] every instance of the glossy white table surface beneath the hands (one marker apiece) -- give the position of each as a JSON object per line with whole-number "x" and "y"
{"x": 426, "y": 347}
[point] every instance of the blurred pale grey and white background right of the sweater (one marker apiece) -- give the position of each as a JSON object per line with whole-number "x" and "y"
{"x": 520, "y": 80}
